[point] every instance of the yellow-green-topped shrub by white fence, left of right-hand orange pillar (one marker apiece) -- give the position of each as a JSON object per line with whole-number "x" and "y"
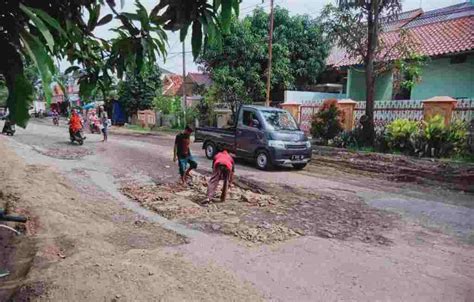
{"x": 400, "y": 135}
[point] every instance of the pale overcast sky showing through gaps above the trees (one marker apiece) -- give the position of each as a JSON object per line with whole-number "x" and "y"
{"x": 311, "y": 7}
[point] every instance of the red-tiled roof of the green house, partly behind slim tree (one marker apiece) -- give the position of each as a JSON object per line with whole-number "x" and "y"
{"x": 444, "y": 31}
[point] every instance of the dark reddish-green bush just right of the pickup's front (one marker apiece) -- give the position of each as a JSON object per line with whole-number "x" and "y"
{"x": 326, "y": 123}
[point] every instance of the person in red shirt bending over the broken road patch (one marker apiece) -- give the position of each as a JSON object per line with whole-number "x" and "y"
{"x": 223, "y": 168}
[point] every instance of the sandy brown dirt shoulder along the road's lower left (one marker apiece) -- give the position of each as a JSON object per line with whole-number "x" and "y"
{"x": 94, "y": 250}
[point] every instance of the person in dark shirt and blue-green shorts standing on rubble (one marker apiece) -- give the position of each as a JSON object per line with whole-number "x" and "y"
{"x": 182, "y": 153}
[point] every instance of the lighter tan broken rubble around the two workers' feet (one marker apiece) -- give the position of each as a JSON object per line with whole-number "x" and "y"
{"x": 185, "y": 203}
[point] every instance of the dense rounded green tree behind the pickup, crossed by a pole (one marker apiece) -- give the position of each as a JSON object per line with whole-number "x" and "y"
{"x": 238, "y": 66}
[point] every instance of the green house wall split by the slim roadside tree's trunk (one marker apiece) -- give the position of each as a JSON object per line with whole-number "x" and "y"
{"x": 356, "y": 86}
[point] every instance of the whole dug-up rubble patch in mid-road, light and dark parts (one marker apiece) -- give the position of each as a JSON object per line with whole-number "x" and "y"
{"x": 263, "y": 218}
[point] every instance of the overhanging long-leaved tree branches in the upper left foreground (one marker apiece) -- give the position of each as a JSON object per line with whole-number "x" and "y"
{"x": 45, "y": 29}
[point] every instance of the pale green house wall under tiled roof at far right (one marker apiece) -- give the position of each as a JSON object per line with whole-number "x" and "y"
{"x": 440, "y": 77}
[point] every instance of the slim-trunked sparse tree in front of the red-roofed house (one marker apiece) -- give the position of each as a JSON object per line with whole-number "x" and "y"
{"x": 357, "y": 25}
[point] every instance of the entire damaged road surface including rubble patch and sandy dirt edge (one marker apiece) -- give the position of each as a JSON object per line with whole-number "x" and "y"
{"x": 128, "y": 232}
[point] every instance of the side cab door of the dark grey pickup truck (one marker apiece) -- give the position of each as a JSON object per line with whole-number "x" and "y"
{"x": 249, "y": 133}
